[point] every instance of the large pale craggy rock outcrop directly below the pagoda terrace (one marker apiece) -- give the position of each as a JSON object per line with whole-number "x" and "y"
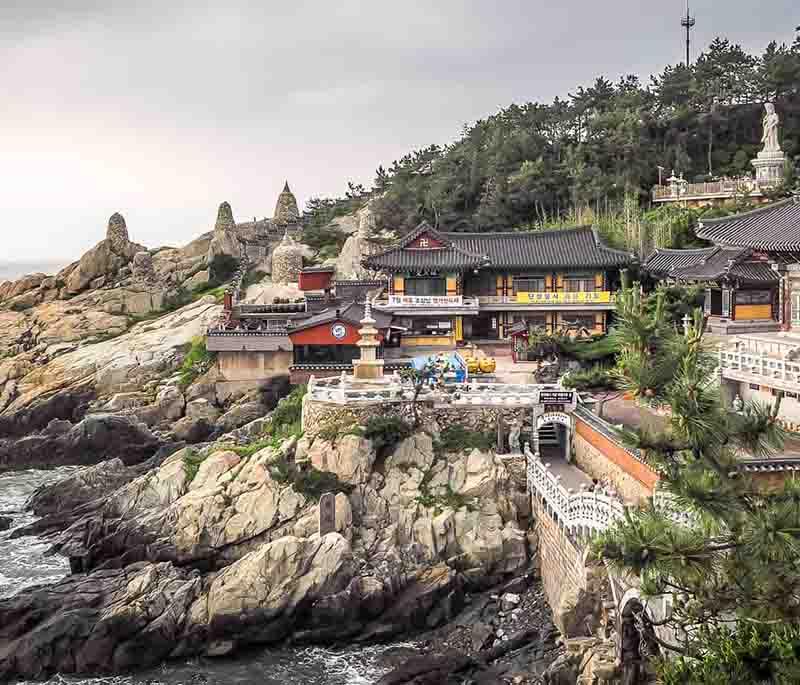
{"x": 213, "y": 550}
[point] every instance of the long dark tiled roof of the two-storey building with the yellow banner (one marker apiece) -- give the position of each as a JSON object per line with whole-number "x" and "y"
{"x": 578, "y": 247}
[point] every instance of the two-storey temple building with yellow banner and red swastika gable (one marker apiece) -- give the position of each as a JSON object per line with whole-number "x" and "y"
{"x": 446, "y": 288}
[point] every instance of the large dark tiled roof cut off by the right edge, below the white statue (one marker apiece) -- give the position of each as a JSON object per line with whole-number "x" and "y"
{"x": 775, "y": 227}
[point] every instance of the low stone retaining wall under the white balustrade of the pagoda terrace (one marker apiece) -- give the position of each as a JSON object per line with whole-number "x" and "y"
{"x": 317, "y": 415}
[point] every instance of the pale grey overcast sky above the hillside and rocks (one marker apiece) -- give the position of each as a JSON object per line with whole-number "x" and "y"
{"x": 161, "y": 110}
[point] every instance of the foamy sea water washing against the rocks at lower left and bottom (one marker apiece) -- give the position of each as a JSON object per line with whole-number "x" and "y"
{"x": 24, "y": 563}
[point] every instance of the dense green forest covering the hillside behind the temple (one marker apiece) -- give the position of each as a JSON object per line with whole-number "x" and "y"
{"x": 593, "y": 157}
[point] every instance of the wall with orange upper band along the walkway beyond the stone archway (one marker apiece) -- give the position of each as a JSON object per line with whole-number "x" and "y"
{"x": 600, "y": 457}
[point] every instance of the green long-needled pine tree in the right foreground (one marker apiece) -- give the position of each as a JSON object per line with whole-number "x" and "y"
{"x": 735, "y": 573}
